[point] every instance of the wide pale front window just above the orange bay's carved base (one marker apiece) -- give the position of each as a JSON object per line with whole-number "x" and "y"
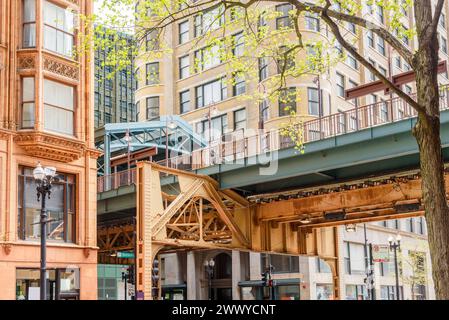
{"x": 59, "y": 107}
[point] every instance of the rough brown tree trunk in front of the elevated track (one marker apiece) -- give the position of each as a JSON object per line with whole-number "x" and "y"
{"x": 427, "y": 134}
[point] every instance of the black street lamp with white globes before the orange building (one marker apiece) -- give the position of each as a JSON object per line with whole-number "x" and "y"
{"x": 43, "y": 177}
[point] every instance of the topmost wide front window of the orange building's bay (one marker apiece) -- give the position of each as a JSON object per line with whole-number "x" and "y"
{"x": 58, "y": 29}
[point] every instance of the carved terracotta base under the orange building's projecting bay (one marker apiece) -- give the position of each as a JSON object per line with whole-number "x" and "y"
{"x": 47, "y": 146}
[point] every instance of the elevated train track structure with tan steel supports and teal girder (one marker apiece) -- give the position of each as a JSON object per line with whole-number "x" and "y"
{"x": 362, "y": 171}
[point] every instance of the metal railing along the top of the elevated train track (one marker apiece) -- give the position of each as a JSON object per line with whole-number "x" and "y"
{"x": 236, "y": 146}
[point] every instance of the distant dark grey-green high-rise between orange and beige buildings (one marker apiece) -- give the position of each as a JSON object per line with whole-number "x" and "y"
{"x": 114, "y": 91}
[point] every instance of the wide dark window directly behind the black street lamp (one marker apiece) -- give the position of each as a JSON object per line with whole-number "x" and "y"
{"x": 60, "y": 208}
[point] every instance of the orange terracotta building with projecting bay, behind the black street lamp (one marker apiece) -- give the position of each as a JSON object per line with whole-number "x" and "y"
{"x": 46, "y": 116}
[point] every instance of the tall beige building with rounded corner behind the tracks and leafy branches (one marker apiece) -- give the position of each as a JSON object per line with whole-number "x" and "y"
{"x": 173, "y": 85}
